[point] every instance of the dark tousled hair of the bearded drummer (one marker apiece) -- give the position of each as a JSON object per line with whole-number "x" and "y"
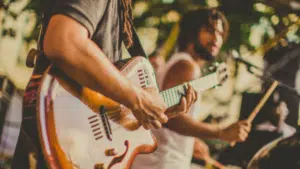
{"x": 193, "y": 21}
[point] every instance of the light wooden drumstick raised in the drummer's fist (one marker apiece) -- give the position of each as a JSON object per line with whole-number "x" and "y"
{"x": 260, "y": 105}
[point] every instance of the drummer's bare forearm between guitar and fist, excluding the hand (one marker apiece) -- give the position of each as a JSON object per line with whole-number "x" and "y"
{"x": 187, "y": 126}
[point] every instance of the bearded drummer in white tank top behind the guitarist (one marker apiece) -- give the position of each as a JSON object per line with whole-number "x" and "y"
{"x": 201, "y": 36}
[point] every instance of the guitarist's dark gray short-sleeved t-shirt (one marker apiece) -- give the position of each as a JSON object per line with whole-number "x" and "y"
{"x": 102, "y": 18}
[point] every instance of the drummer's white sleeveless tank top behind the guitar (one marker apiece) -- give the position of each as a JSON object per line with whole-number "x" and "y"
{"x": 174, "y": 151}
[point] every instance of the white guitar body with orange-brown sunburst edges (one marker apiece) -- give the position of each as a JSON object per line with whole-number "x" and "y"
{"x": 73, "y": 132}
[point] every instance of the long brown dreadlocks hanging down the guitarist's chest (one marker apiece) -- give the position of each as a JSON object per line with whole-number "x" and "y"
{"x": 128, "y": 17}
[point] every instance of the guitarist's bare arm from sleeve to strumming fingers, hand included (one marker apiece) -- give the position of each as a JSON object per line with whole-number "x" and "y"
{"x": 67, "y": 45}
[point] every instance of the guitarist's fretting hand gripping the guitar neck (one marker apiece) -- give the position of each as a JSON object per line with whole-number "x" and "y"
{"x": 185, "y": 103}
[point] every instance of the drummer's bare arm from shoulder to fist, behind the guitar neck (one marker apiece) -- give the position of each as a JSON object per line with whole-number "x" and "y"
{"x": 185, "y": 125}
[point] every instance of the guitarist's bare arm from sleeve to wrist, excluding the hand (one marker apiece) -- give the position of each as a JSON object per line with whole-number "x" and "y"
{"x": 82, "y": 60}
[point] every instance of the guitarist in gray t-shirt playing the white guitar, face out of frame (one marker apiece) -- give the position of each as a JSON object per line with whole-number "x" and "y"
{"x": 83, "y": 38}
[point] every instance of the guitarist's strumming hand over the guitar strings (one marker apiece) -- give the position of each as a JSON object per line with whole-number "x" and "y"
{"x": 149, "y": 110}
